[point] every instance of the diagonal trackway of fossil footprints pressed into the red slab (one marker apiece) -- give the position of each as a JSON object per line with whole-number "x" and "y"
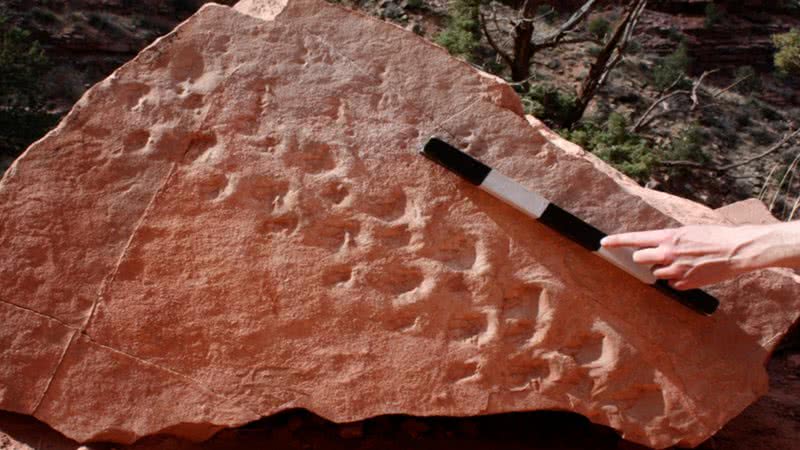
{"x": 311, "y": 192}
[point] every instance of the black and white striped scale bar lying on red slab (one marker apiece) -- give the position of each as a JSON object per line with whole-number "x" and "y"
{"x": 558, "y": 219}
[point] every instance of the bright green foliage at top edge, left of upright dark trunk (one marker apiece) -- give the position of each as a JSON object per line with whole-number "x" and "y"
{"x": 462, "y": 33}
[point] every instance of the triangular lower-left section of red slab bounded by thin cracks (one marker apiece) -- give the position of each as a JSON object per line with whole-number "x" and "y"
{"x": 122, "y": 411}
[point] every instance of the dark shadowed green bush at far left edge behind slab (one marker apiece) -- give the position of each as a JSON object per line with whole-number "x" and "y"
{"x": 23, "y": 118}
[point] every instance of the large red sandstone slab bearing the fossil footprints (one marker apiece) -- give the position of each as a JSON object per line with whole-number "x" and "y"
{"x": 238, "y": 222}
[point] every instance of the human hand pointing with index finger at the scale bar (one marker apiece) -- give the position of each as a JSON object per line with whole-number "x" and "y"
{"x": 696, "y": 255}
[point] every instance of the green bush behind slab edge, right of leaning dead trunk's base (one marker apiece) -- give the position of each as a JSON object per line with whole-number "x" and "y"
{"x": 628, "y": 152}
